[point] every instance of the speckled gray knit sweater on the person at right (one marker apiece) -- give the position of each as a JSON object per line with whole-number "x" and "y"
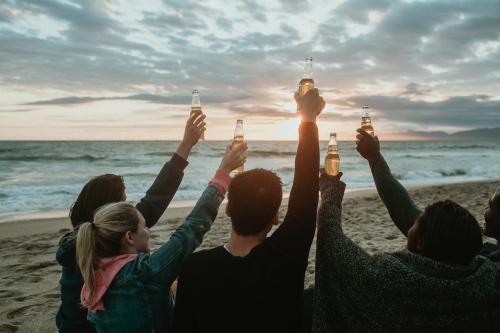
{"x": 397, "y": 292}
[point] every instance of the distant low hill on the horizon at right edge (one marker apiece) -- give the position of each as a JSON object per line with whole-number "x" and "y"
{"x": 475, "y": 134}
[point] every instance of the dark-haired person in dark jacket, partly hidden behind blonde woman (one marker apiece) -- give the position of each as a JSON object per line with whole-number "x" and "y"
{"x": 71, "y": 316}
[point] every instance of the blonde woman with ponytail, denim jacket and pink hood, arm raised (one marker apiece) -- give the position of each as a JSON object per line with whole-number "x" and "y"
{"x": 127, "y": 289}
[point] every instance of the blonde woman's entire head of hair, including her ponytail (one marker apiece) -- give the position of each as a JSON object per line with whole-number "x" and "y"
{"x": 103, "y": 238}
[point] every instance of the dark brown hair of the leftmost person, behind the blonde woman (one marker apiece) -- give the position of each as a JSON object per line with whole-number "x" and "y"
{"x": 98, "y": 191}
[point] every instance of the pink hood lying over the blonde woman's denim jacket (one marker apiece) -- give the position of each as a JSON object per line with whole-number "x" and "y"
{"x": 108, "y": 268}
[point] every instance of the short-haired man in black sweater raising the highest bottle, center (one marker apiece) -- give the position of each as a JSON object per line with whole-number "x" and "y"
{"x": 254, "y": 283}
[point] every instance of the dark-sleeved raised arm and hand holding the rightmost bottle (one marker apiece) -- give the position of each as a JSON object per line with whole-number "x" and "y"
{"x": 401, "y": 207}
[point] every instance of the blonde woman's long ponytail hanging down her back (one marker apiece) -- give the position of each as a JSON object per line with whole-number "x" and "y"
{"x": 86, "y": 256}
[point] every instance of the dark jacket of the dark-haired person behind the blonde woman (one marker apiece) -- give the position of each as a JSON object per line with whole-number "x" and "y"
{"x": 72, "y": 317}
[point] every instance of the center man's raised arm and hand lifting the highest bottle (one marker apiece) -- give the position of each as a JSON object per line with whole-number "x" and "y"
{"x": 293, "y": 238}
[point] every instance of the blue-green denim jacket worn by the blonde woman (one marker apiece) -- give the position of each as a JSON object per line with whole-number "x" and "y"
{"x": 139, "y": 298}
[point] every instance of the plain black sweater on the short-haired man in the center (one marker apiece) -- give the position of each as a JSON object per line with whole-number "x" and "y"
{"x": 261, "y": 292}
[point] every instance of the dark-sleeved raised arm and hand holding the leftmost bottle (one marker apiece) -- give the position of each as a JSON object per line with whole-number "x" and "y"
{"x": 160, "y": 194}
